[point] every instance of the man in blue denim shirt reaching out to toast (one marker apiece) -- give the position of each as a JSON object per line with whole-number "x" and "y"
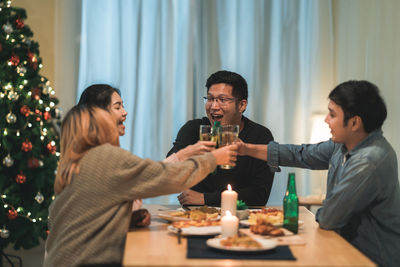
{"x": 363, "y": 197}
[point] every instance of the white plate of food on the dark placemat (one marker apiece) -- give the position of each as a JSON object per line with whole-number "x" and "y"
{"x": 241, "y": 243}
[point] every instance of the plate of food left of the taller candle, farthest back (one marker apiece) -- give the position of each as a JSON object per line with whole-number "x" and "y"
{"x": 203, "y": 213}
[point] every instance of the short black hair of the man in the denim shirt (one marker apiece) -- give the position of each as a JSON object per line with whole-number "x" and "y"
{"x": 360, "y": 98}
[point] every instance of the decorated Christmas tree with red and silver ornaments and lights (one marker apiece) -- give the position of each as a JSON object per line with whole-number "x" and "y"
{"x": 29, "y": 138}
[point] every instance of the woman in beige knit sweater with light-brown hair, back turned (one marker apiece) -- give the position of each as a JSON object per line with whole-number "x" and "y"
{"x": 96, "y": 182}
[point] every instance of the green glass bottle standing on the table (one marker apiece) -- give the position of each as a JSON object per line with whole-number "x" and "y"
{"x": 291, "y": 206}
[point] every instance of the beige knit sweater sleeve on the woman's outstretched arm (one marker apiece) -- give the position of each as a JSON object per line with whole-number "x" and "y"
{"x": 133, "y": 177}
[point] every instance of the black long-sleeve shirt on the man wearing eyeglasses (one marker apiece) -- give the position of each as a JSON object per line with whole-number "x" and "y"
{"x": 250, "y": 178}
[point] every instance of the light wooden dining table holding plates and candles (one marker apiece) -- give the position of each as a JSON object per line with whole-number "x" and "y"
{"x": 156, "y": 246}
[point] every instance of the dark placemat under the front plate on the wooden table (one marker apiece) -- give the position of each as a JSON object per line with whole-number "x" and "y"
{"x": 198, "y": 249}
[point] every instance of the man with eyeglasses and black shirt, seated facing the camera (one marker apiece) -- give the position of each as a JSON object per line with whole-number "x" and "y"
{"x": 251, "y": 178}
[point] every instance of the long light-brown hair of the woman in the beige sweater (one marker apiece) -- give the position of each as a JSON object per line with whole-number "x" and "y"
{"x": 82, "y": 128}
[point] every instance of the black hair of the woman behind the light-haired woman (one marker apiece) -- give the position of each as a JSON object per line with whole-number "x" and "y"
{"x": 98, "y": 95}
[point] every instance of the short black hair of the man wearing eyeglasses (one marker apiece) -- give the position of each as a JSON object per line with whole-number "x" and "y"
{"x": 238, "y": 83}
